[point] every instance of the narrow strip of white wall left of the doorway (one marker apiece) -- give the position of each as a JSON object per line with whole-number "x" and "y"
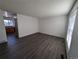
{"x": 2, "y": 29}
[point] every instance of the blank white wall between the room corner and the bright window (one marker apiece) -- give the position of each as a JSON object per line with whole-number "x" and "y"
{"x": 54, "y": 26}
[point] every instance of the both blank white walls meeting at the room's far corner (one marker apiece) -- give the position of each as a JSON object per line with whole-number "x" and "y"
{"x": 51, "y": 25}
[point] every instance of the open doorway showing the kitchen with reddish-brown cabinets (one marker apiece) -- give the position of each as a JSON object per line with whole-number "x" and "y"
{"x": 11, "y": 28}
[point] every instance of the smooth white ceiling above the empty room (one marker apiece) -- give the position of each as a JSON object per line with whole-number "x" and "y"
{"x": 38, "y": 8}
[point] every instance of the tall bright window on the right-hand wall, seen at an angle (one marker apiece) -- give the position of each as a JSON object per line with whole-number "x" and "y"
{"x": 70, "y": 28}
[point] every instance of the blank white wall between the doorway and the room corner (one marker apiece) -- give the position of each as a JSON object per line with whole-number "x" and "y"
{"x": 27, "y": 25}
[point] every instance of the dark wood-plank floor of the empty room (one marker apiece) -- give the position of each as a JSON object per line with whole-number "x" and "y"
{"x": 35, "y": 46}
